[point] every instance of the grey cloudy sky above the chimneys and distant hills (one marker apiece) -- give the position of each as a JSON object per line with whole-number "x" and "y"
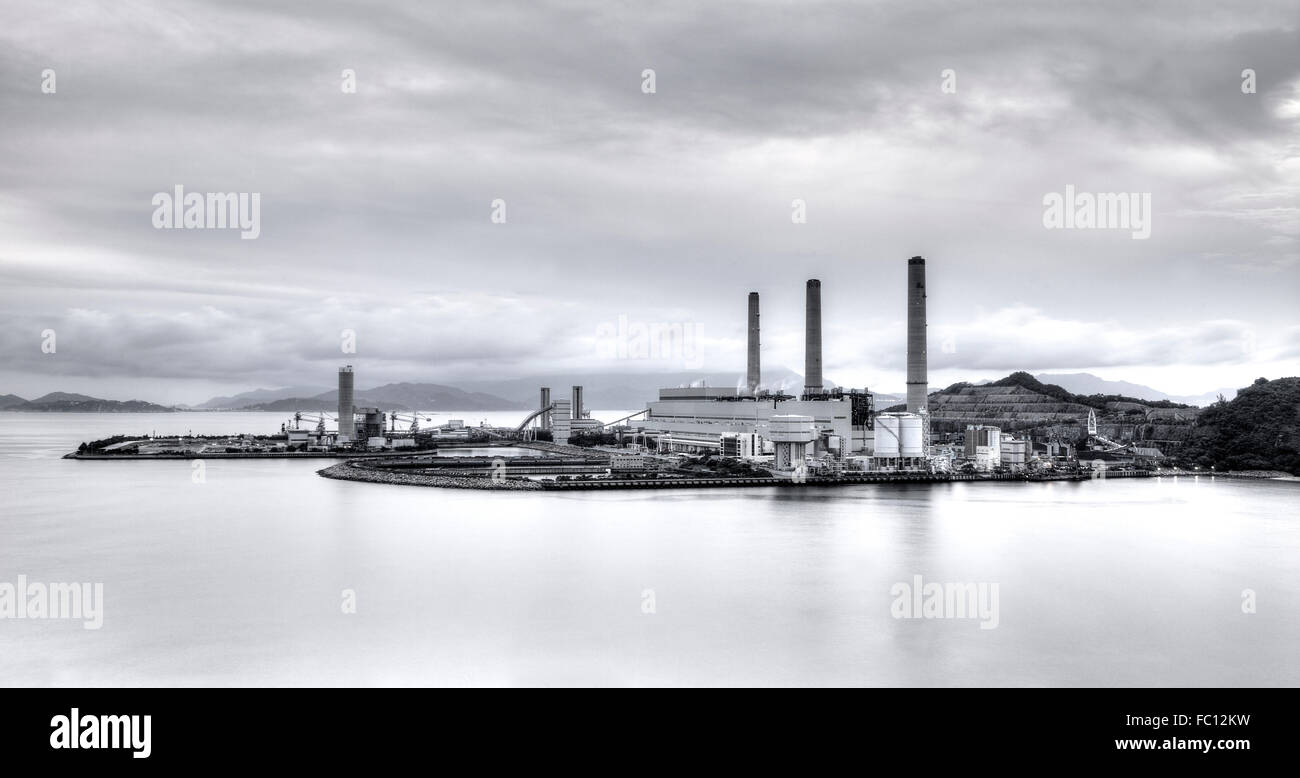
{"x": 505, "y": 196}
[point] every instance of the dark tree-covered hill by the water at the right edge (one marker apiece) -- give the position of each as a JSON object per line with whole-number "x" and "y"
{"x": 1258, "y": 430}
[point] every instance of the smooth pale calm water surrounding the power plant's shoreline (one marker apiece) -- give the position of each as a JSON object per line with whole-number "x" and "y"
{"x": 239, "y": 581}
